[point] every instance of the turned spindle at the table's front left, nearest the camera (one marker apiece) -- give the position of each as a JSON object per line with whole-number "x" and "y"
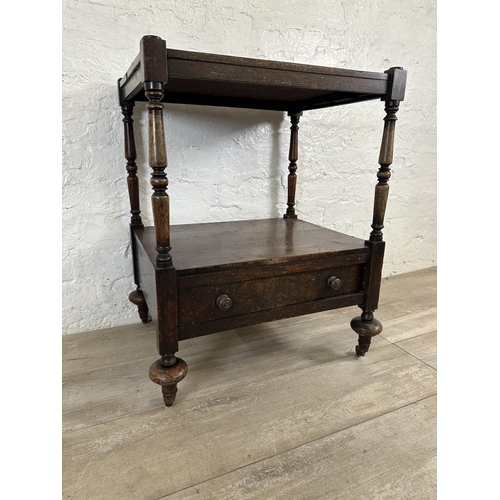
{"x": 159, "y": 182}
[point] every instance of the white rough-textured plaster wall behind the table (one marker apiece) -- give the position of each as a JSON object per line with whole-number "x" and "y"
{"x": 229, "y": 164}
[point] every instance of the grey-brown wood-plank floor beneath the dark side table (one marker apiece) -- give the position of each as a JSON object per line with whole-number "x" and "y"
{"x": 283, "y": 410}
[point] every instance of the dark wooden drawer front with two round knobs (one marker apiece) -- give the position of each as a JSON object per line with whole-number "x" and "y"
{"x": 209, "y": 303}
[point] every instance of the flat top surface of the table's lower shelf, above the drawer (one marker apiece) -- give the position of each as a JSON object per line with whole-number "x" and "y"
{"x": 220, "y": 245}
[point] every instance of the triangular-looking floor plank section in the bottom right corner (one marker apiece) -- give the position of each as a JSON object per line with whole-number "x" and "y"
{"x": 347, "y": 465}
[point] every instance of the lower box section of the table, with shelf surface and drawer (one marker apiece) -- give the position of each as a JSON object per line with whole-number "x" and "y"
{"x": 237, "y": 273}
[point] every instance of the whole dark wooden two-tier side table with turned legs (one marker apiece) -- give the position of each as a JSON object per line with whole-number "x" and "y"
{"x": 198, "y": 279}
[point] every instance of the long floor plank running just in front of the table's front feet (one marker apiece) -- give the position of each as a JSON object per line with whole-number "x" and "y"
{"x": 162, "y": 451}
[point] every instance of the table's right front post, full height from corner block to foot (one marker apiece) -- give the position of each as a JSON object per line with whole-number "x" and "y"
{"x": 366, "y": 326}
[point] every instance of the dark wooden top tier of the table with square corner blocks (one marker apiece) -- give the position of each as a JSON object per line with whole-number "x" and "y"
{"x": 216, "y": 80}
